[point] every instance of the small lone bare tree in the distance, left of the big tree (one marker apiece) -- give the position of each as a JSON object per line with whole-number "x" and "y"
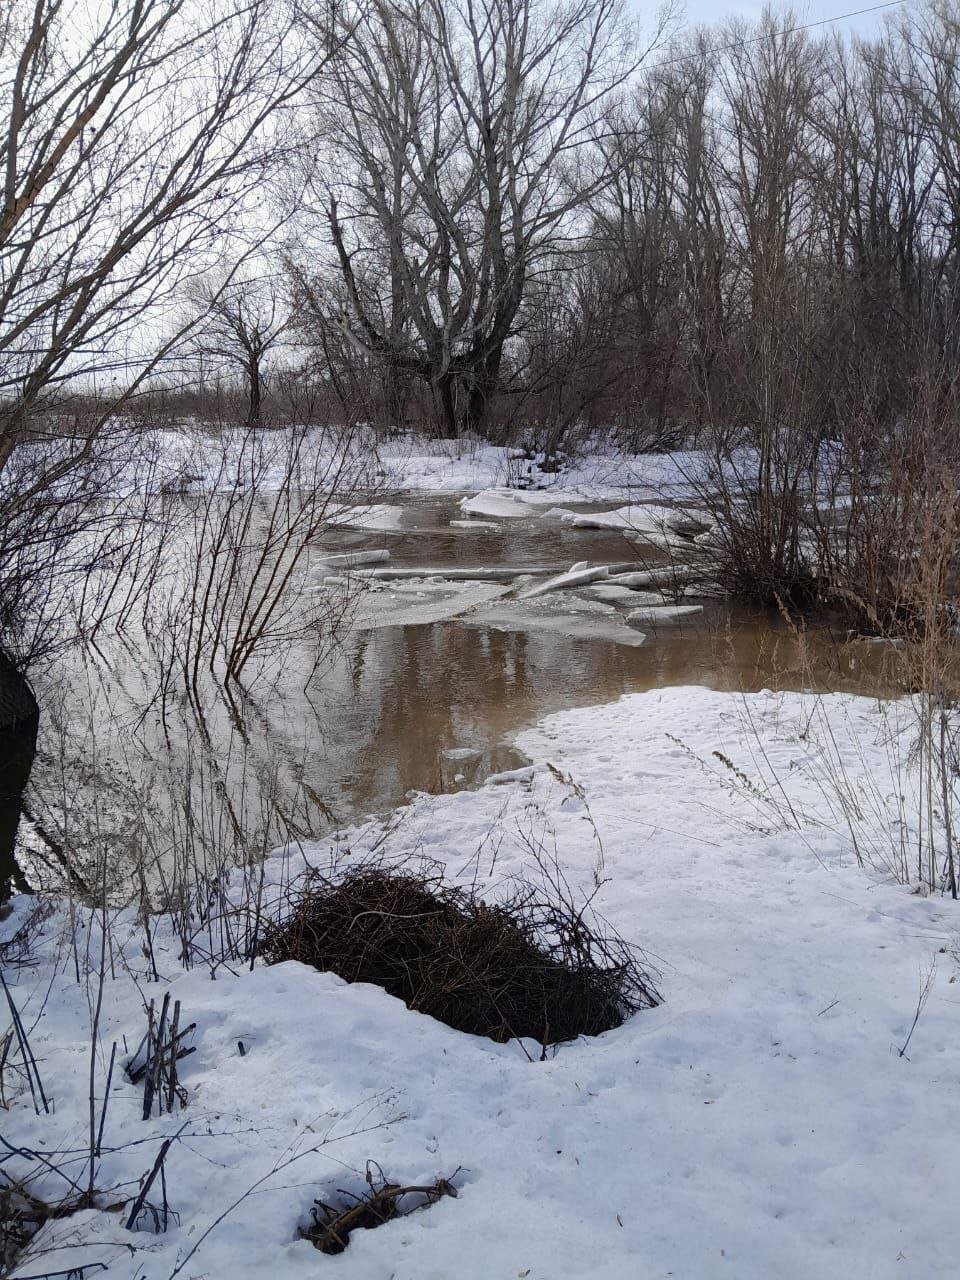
{"x": 241, "y": 323}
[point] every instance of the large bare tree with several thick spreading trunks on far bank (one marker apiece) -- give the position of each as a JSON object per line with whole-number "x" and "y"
{"x": 460, "y": 132}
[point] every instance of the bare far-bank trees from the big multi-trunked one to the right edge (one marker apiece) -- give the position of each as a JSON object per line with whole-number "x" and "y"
{"x": 752, "y": 241}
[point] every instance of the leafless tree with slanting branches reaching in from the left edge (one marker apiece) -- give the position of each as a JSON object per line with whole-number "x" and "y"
{"x": 136, "y": 134}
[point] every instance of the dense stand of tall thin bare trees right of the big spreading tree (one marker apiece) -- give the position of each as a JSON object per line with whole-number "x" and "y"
{"x": 779, "y": 241}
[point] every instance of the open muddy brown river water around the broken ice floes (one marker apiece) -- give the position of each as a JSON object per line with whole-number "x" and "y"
{"x": 380, "y": 723}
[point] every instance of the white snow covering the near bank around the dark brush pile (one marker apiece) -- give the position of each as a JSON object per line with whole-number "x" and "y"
{"x": 760, "y": 1123}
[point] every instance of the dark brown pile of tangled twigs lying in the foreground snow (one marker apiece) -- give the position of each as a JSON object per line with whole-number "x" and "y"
{"x": 533, "y": 966}
